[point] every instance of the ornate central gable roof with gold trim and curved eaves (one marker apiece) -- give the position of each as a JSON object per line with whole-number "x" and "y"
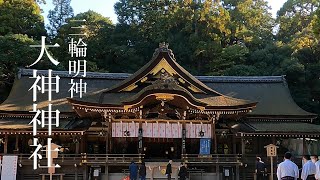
{"x": 164, "y": 75}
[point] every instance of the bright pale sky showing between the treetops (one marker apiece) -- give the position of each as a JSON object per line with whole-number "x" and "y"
{"x": 105, "y": 7}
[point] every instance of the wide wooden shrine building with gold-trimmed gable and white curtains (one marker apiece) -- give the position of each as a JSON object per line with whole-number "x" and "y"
{"x": 161, "y": 112}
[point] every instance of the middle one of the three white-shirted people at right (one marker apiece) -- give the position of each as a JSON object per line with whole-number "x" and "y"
{"x": 308, "y": 169}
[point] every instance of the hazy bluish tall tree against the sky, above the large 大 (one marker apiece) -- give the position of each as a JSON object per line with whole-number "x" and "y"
{"x": 59, "y": 15}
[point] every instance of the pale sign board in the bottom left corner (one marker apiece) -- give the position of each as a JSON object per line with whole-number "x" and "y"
{"x": 9, "y": 167}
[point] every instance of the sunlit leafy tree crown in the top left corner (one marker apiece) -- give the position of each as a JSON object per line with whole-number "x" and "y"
{"x": 21, "y": 17}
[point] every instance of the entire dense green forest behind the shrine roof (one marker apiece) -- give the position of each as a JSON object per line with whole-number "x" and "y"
{"x": 208, "y": 37}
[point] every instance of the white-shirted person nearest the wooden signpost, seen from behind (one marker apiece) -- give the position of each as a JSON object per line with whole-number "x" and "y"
{"x": 287, "y": 170}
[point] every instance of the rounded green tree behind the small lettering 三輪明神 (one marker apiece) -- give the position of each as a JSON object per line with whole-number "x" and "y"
{"x": 97, "y": 30}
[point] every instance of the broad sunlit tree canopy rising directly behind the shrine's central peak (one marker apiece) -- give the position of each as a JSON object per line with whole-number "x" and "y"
{"x": 198, "y": 31}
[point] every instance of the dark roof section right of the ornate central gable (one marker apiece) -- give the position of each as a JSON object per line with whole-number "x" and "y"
{"x": 271, "y": 93}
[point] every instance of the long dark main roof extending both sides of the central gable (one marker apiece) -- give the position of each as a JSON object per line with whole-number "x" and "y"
{"x": 271, "y": 93}
